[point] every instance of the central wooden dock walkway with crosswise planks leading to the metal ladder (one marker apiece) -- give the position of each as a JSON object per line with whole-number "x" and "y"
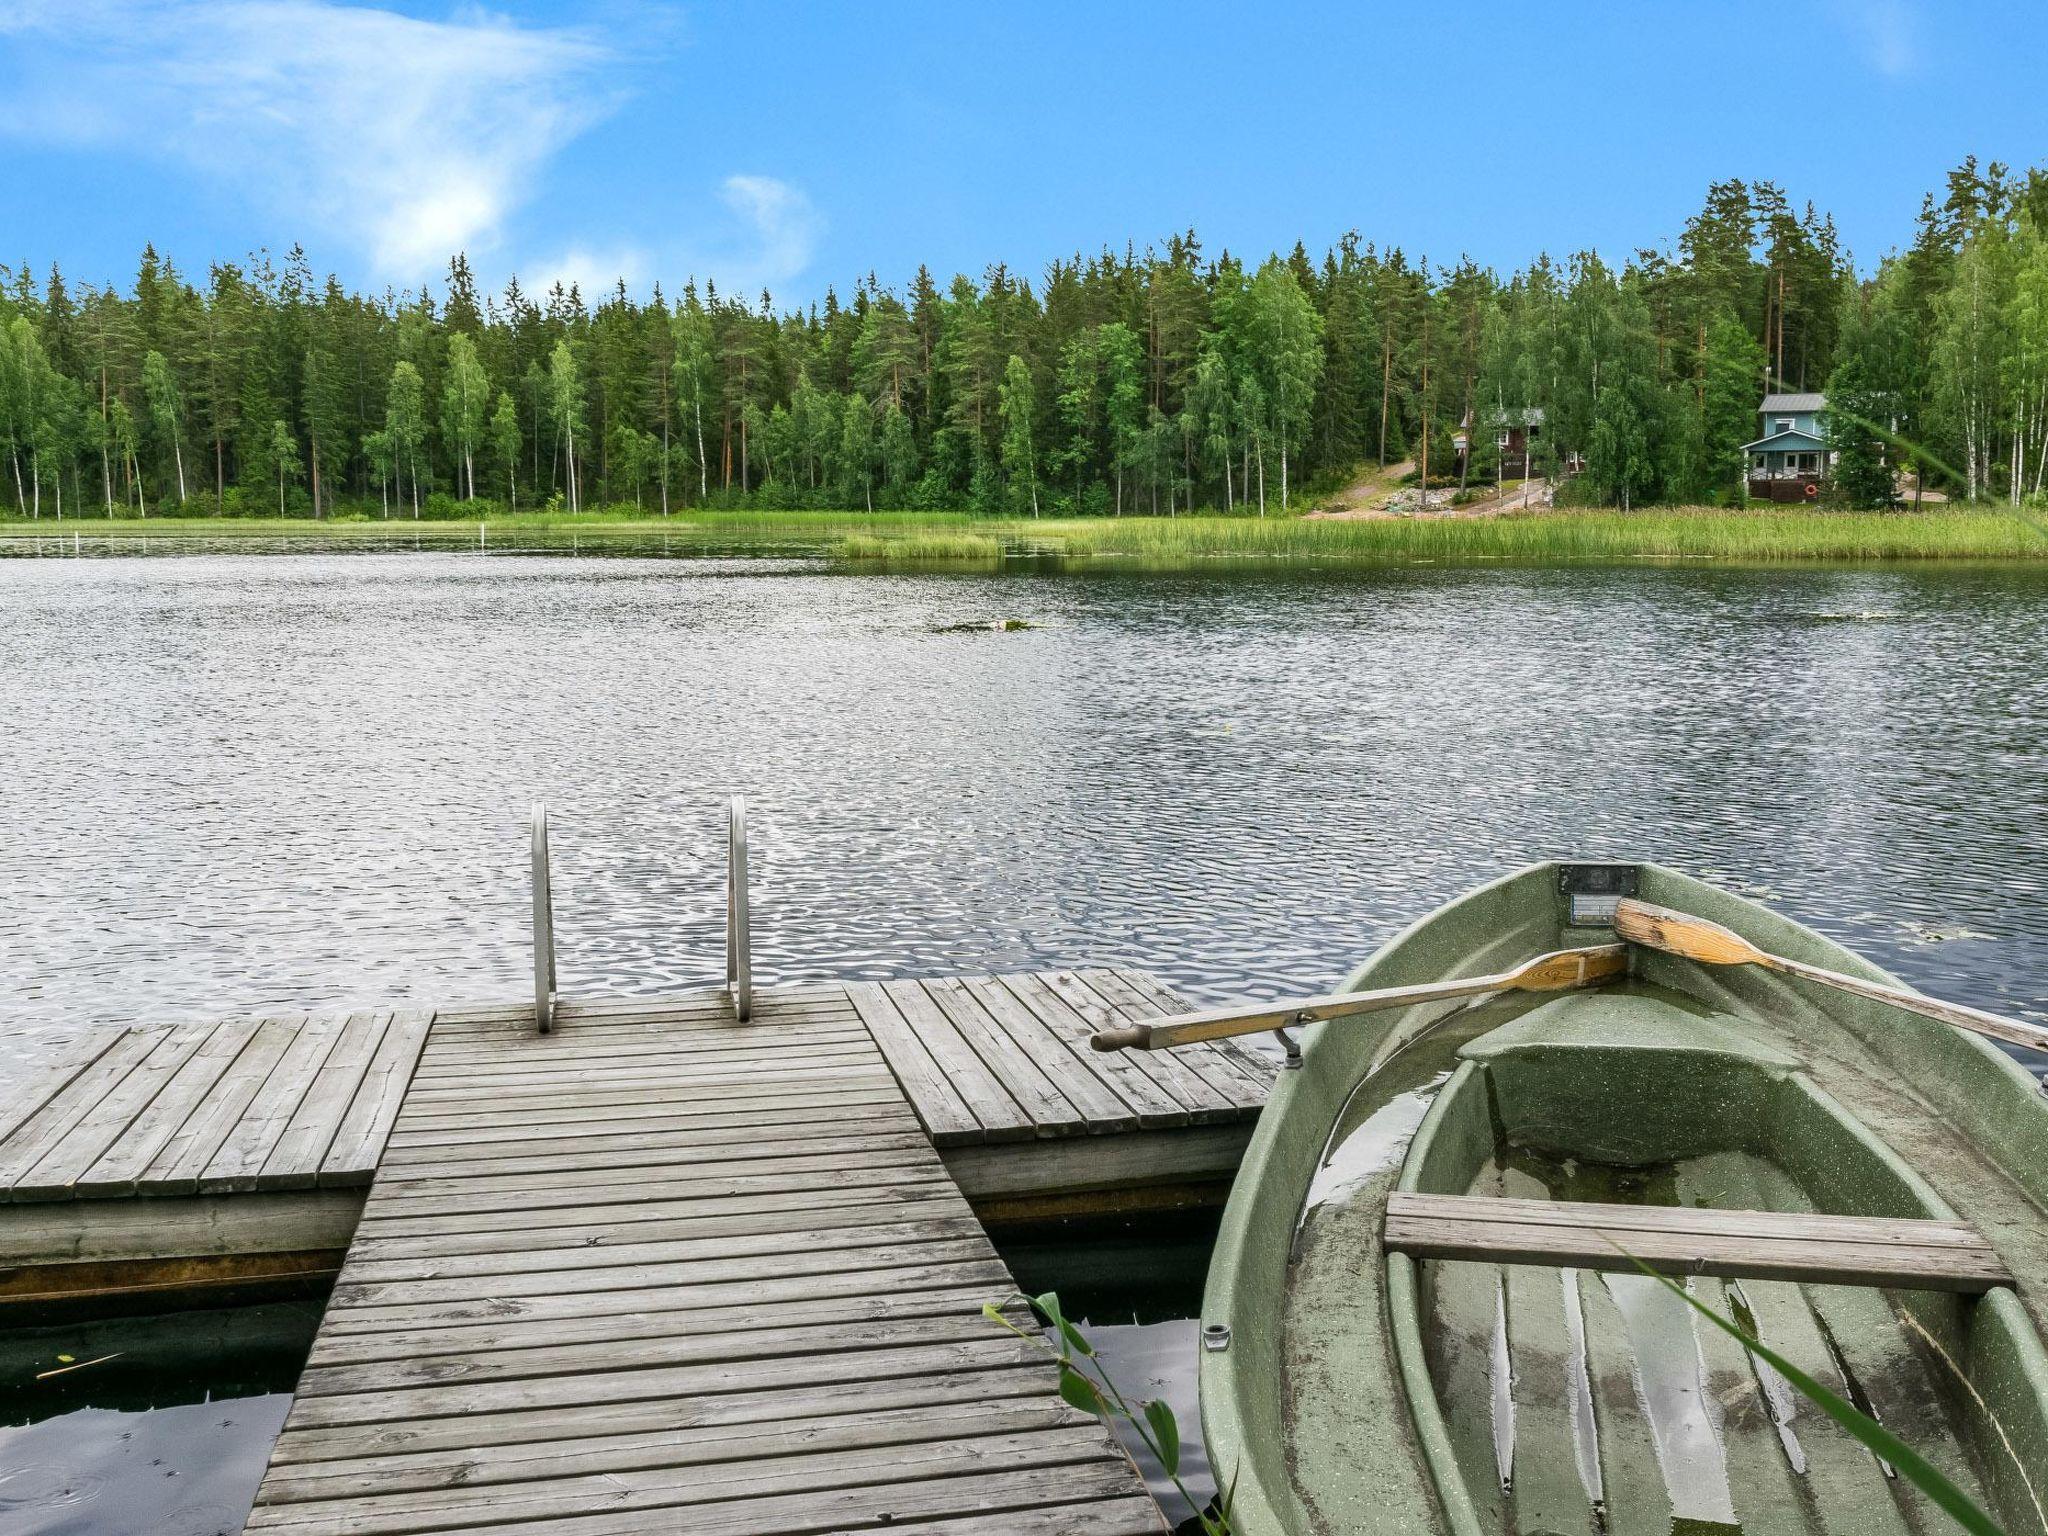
{"x": 663, "y": 1271}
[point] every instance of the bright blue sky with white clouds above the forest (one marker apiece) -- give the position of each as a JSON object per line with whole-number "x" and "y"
{"x": 806, "y": 144}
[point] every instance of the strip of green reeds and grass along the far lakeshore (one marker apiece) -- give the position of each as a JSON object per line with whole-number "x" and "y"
{"x": 1539, "y": 538}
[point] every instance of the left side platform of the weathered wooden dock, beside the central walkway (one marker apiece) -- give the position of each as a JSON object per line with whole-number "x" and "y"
{"x": 198, "y": 1154}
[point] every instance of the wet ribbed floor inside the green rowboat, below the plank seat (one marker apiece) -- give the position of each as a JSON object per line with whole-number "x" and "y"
{"x": 1588, "y": 1402}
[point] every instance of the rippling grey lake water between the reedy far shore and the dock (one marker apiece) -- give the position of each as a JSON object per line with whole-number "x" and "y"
{"x": 239, "y": 781}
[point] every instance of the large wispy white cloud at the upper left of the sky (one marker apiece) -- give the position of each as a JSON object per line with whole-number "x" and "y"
{"x": 407, "y": 138}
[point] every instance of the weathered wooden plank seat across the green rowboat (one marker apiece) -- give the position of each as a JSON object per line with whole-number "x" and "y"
{"x": 1689, "y": 1240}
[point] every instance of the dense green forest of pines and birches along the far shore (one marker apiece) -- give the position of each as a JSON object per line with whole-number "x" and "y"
{"x": 1142, "y": 382}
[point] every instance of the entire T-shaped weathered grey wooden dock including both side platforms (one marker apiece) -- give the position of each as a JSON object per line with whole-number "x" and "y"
{"x": 654, "y": 1271}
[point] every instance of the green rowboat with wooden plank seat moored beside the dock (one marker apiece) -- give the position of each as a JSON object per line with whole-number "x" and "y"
{"x": 1353, "y": 1388}
